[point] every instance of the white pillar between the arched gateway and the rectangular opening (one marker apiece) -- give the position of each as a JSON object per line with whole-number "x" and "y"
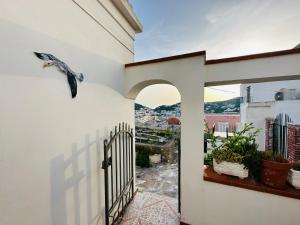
{"x": 192, "y": 109}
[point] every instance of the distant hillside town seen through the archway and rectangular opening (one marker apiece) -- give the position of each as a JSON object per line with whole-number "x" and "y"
{"x": 222, "y": 114}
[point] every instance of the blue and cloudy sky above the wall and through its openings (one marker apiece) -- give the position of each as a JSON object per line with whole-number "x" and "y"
{"x": 223, "y": 28}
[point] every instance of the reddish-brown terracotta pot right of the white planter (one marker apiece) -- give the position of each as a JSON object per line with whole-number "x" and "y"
{"x": 274, "y": 173}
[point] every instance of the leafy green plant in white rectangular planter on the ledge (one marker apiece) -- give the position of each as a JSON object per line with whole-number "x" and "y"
{"x": 235, "y": 156}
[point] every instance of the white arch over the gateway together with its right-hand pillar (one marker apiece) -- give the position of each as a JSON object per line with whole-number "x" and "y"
{"x": 187, "y": 75}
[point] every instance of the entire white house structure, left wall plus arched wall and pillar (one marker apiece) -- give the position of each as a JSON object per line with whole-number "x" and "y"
{"x": 52, "y": 145}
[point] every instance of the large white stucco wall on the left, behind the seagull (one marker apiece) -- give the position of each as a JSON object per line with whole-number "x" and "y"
{"x": 51, "y": 144}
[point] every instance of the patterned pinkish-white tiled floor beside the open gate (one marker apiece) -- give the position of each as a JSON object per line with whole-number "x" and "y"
{"x": 152, "y": 209}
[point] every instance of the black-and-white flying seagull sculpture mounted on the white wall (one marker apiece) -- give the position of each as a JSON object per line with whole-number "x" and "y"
{"x": 51, "y": 60}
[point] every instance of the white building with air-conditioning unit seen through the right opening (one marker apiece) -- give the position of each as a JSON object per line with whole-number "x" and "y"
{"x": 268, "y": 100}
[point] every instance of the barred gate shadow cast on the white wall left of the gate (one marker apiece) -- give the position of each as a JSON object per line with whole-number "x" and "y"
{"x": 77, "y": 185}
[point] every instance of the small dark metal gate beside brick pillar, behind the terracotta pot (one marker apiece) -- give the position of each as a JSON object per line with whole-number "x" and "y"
{"x": 280, "y": 134}
